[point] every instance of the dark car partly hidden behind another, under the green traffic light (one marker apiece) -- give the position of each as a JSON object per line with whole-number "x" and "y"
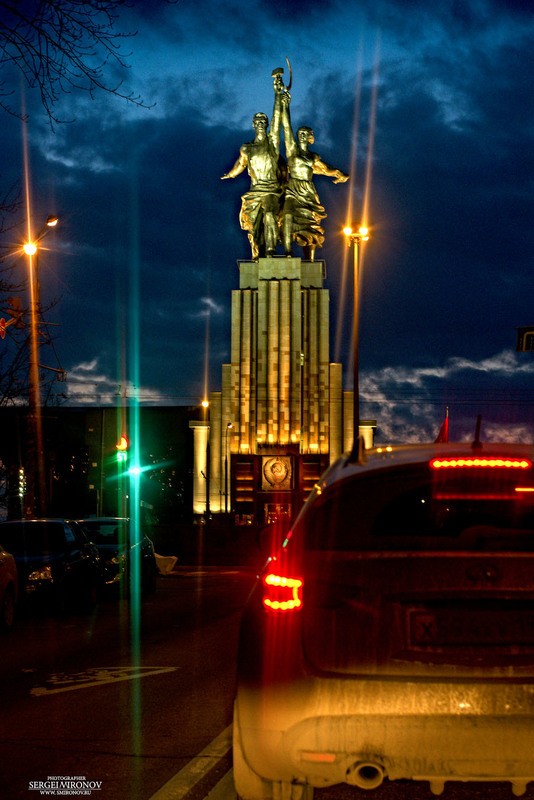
{"x": 123, "y": 552}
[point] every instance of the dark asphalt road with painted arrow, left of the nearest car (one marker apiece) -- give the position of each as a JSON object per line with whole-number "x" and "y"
{"x": 122, "y": 698}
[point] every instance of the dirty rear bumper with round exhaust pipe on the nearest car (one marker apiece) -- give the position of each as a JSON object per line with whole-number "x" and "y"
{"x": 325, "y": 732}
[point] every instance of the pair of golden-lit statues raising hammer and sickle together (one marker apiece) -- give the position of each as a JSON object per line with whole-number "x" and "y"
{"x": 282, "y": 203}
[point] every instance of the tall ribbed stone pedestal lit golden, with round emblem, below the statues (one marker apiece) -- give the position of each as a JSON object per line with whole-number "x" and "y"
{"x": 282, "y": 415}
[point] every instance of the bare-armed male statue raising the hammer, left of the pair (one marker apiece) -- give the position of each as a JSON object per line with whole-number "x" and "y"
{"x": 260, "y": 206}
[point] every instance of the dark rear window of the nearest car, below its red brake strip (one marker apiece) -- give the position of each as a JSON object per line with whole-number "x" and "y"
{"x": 410, "y": 509}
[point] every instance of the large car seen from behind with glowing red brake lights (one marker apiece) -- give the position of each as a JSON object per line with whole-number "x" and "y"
{"x": 390, "y": 635}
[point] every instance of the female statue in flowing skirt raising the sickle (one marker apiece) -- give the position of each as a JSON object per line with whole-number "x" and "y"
{"x": 302, "y": 212}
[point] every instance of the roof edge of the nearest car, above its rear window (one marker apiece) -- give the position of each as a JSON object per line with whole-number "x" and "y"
{"x": 389, "y": 456}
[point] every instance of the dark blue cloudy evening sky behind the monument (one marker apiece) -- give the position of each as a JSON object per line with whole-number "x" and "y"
{"x": 144, "y": 259}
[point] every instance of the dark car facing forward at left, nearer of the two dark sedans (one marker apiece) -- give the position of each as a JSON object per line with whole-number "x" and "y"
{"x": 56, "y": 563}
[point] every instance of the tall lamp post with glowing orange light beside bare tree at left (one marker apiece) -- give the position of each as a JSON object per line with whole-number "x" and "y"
{"x": 37, "y": 484}
